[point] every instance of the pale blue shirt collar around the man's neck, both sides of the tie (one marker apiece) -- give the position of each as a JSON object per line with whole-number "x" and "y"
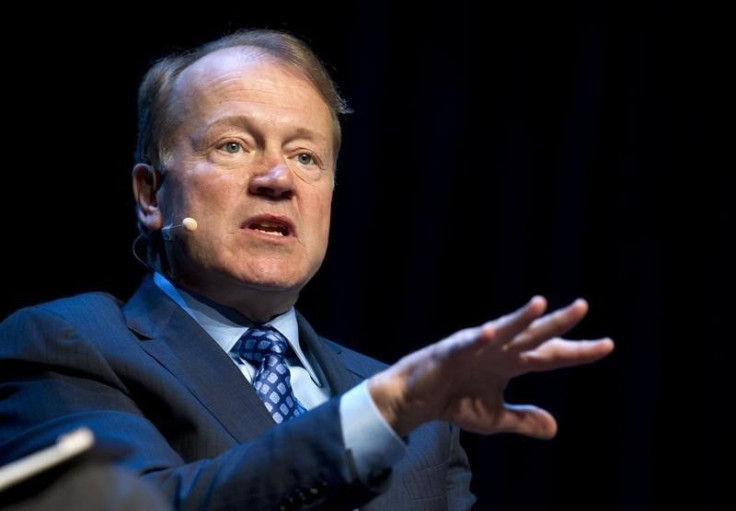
{"x": 225, "y": 329}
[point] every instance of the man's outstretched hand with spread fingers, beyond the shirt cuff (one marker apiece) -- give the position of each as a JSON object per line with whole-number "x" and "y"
{"x": 462, "y": 378}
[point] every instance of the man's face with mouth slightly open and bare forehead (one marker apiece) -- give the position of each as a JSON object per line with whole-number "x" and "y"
{"x": 252, "y": 161}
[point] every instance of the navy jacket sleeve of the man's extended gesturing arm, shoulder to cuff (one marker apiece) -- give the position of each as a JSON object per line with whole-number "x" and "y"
{"x": 54, "y": 380}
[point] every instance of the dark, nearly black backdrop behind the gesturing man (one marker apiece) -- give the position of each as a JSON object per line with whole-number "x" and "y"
{"x": 494, "y": 153}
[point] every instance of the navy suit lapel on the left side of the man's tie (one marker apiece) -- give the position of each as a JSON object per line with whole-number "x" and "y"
{"x": 184, "y": 349}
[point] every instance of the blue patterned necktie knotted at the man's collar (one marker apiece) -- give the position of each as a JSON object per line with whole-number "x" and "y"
{"x": 265, "y": 348}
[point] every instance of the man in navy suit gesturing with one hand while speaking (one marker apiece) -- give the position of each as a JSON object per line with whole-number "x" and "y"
{"x": 242, "y": 135}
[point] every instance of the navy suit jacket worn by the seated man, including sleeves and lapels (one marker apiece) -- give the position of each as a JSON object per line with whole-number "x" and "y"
{"x": 144, "y": 376}
